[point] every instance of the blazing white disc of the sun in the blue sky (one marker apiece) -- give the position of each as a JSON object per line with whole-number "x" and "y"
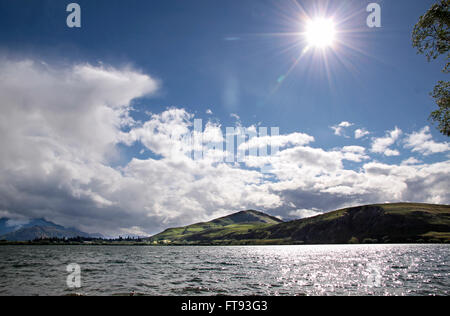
{"x": 320, "y": 33}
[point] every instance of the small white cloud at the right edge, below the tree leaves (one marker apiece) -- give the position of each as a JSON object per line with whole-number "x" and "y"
{"x": 423, "y": 143}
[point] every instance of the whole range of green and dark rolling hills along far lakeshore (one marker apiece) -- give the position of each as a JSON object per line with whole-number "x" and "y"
{"x": 378, "y": 223}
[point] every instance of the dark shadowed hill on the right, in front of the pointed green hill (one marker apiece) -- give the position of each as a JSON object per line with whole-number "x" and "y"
{"x": 400, "y": 222}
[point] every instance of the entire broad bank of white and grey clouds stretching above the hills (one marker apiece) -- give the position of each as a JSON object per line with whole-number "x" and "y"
{"x": 60, "y": 127}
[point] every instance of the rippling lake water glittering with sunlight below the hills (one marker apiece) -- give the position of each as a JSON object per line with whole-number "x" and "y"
{"x": 265, "y": 270}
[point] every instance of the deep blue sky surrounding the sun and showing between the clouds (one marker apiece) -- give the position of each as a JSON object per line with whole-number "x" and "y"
{"x": 229, "y": 56}
